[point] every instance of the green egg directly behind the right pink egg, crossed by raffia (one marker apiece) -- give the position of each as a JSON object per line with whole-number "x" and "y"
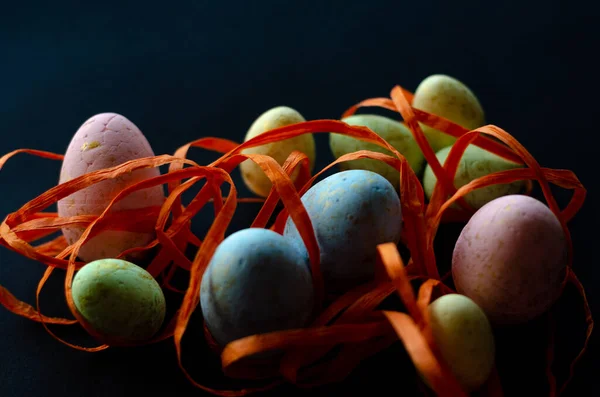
{"x": 475, "y": 163}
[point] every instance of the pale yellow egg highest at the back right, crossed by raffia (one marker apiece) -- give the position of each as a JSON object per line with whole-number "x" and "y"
{"x": 447, "y": 97}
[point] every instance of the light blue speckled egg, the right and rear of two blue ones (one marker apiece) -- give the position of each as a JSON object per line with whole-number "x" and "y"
{"x": 351, "y": 213}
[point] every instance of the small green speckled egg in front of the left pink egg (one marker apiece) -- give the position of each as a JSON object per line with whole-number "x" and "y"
{"x": 119, "y": 300}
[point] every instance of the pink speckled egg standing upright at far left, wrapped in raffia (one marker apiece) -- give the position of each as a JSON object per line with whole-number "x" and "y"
{"x": 106, "y": 140}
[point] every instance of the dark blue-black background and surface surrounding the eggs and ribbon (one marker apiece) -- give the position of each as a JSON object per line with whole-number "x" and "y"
{"x": 183, "y": 71}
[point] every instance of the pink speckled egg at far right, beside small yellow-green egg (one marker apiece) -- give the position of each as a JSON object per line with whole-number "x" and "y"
{"x": 511, "y": 259}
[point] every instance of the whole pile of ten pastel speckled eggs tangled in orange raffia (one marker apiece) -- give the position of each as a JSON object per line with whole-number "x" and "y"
{"x": 508, "y": 264}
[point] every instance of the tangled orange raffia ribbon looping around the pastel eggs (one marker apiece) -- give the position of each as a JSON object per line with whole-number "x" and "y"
{"x": 352, "y": 322}
